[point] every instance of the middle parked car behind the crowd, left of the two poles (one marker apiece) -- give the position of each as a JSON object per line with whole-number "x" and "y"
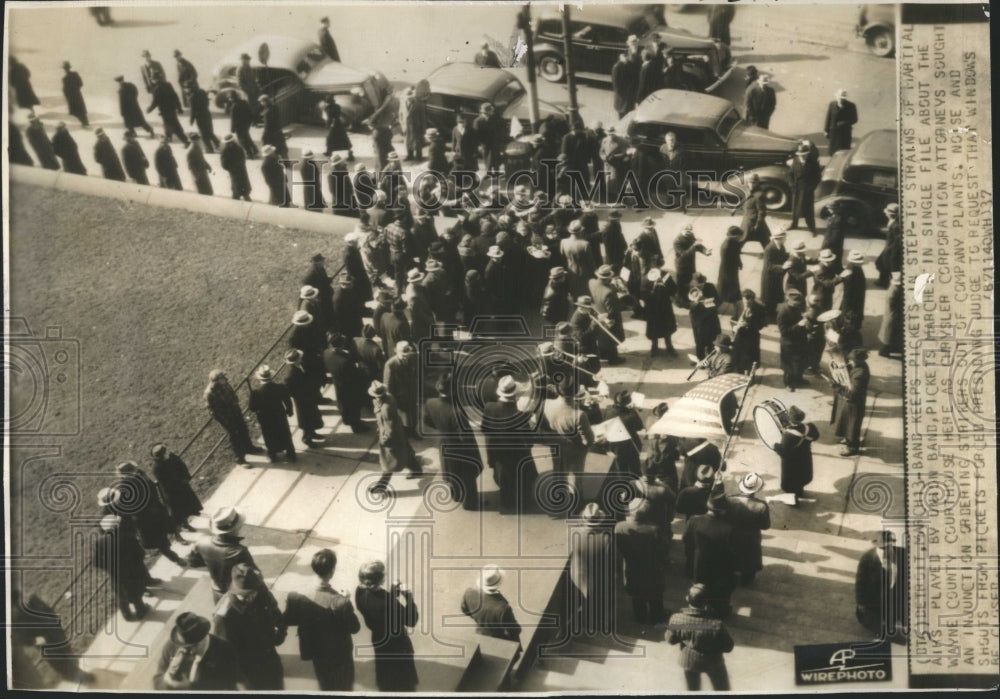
{"x": 464, "y": 87}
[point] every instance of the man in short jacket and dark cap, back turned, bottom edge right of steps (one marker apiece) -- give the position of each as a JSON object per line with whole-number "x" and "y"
{"x": 703, "y": 640}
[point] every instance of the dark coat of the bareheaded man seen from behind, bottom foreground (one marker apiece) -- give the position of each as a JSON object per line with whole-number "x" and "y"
{"x": 326, "y": 622}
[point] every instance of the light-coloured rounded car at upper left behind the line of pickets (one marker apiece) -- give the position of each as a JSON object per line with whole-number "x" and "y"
{"x": 298, "y": 76}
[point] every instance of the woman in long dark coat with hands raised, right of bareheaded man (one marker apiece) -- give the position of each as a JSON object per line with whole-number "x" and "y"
{"x": 388, "y": 613}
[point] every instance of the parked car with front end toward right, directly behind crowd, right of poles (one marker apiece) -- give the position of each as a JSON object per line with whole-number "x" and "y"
{"x": 716, "y": 139}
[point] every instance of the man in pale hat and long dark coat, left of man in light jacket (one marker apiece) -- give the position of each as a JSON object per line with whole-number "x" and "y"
{"x": 508, "y": 447}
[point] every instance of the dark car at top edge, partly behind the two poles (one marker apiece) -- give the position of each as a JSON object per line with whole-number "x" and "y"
{"x": 599, "y": 34}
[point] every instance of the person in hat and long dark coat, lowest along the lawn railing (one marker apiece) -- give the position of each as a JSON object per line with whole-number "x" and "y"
{"x": 119, "y": 554}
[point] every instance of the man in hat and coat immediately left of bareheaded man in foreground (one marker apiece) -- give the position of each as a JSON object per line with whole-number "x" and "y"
{"x": 248, "y": 617}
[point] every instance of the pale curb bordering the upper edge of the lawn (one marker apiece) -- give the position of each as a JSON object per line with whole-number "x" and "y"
{"x": 249, "y": 212}
